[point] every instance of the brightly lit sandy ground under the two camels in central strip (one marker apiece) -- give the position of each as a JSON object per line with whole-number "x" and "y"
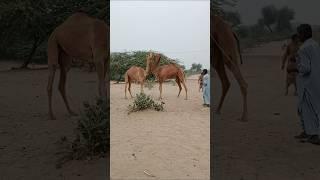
{"x": 170, "y": 145}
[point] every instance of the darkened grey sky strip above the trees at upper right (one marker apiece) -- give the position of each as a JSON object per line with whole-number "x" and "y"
{"x": 307, "y": 11}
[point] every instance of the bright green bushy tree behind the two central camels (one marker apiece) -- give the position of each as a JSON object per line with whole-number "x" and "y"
{"x": 120, "y": 62}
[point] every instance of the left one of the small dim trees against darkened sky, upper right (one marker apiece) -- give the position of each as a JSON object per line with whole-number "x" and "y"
{"x": 269, "y": 15}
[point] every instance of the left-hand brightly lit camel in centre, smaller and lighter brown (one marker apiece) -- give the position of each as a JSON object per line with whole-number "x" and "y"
{"x": 136, "y": 74}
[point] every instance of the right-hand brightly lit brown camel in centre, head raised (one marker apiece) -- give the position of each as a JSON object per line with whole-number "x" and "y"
{"x": 162, "y": 73}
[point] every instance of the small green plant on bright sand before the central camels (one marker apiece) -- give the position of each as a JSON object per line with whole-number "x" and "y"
{"x": 143, "y": 102}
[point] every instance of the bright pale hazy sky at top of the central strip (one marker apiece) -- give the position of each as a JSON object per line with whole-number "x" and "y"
{"x": 179, "y": 29}
